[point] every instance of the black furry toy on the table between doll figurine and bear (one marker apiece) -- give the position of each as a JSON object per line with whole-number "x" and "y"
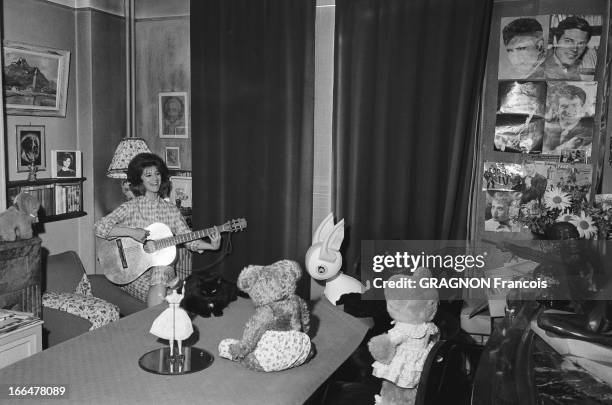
{"x": 207, "y": 294}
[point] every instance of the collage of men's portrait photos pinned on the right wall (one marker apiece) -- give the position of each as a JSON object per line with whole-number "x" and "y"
{"x": 546, "y": 104}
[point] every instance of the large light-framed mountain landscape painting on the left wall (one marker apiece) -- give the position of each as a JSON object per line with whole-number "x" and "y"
{"x": 35, "y": 80}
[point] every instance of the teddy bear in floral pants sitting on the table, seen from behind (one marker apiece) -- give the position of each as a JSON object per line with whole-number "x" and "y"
{"x": 275, "y": 338}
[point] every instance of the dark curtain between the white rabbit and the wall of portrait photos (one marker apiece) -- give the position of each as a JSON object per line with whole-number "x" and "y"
{"x": 408, "y": 78}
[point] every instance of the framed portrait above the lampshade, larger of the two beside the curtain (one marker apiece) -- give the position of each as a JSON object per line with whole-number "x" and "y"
{"x": 173, "y": 118}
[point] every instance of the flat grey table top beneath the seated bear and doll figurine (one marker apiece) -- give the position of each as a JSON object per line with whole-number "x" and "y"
{"x": 101, "y": 367}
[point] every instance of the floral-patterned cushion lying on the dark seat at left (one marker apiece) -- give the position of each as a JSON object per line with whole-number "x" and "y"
{"x": 95, "y": 310}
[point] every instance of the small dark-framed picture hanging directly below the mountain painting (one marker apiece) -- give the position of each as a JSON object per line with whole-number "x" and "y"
{"x": 30, "y": 147}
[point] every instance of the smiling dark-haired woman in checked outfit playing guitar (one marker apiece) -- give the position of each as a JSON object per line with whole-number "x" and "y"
{"x": 150, "y": 182}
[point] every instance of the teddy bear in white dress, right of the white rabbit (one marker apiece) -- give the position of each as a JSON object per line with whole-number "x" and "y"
{"x": 401, "y": 352}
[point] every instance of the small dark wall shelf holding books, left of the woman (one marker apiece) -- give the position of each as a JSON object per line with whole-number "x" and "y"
{"x": 59, "y": 198}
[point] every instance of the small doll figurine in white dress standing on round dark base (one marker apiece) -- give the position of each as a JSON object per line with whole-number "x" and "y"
{"x": 173, "y": 324}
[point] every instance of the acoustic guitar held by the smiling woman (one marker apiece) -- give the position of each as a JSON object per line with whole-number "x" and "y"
{"x": 124, "y": 259}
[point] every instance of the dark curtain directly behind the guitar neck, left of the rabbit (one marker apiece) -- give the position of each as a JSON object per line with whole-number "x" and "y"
{"x": 252, "y": 92}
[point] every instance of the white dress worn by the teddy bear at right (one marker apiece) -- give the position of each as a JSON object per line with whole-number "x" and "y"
{"x": 412, "y": 345}
